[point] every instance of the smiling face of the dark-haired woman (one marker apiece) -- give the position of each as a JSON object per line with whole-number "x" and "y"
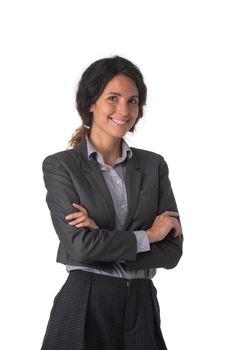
{"x": 116, "y": 110}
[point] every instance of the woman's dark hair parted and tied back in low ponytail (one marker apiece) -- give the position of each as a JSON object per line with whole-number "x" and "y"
{"x": 92, "y": 83}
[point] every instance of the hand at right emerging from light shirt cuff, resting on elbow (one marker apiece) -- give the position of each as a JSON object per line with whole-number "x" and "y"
{"x": 162, "y": 225}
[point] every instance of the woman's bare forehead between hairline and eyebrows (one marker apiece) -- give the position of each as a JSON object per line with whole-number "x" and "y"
{"x": 121, "y": 83}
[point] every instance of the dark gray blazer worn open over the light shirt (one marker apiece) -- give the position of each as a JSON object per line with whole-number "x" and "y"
{"x": 69, "y": 176}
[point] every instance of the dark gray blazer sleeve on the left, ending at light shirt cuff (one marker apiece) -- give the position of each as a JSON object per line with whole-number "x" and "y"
{"x": 84, "y": 245}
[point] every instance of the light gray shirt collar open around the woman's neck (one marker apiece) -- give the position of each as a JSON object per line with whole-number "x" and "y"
{"x": 126, "y": 151}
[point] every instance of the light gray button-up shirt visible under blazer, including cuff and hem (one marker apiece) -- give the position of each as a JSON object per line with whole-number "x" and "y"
{"x": 115, "y": 180}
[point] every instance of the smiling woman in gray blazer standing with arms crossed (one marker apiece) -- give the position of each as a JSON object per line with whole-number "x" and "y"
{"x": 113, "y": 209}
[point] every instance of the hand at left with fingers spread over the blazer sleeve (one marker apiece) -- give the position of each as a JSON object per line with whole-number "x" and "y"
{"x": 81, "y": 218}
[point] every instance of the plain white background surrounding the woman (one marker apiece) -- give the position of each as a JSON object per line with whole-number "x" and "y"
{"x": 184, "y": 50}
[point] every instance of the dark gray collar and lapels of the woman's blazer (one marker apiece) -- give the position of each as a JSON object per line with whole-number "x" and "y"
{"x": 97, "y": 182}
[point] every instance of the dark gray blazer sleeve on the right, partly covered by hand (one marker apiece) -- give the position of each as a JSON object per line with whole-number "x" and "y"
{"x": 167, "y": 252}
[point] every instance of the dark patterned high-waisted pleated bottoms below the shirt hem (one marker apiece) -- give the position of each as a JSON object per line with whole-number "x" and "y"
{"x": 98, "y": 312}
